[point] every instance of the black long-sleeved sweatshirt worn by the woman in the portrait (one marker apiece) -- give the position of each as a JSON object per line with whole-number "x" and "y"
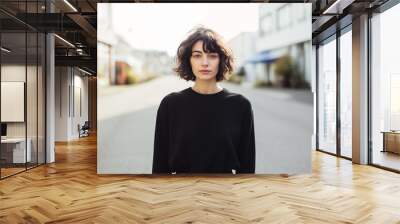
{"x": 204, "y": 133}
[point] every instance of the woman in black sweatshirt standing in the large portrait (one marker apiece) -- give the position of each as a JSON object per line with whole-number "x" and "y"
{"x": 204, "y": 128}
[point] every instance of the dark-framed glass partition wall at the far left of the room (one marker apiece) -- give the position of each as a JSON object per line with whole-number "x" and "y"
{"x": 23, "y": 88}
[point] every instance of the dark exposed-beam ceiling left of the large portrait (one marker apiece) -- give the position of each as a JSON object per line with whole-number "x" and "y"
{"x": 77, "y": 25}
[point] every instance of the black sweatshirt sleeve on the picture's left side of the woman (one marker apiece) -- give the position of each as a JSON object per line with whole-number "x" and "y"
{"x": 161, "y": 140}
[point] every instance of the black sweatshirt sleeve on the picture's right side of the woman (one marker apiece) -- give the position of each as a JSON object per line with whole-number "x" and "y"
{"x": 246, "y": 150}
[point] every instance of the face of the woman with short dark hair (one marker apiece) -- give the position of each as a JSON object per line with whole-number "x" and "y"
{"x": 204, "y": 65}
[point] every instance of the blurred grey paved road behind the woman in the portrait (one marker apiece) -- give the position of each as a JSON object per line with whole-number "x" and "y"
{"x": 283, "y": 126}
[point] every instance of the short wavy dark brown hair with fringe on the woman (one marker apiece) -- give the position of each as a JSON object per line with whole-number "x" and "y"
{"x": 212, "y": 43}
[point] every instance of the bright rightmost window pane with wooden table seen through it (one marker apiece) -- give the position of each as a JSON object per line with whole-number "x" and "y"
{"x": 386, "y": 89}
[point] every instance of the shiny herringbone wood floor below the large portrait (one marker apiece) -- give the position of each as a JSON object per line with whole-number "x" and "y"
{"x": 70, "y": 191}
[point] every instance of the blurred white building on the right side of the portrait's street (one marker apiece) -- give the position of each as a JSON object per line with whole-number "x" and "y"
{"x": 285, "y": 28}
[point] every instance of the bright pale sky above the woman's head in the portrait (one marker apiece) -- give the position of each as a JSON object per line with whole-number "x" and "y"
{"x": 163, "y": 26}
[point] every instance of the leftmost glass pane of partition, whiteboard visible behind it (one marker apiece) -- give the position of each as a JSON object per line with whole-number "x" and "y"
{"x": 13, "y": 85}
